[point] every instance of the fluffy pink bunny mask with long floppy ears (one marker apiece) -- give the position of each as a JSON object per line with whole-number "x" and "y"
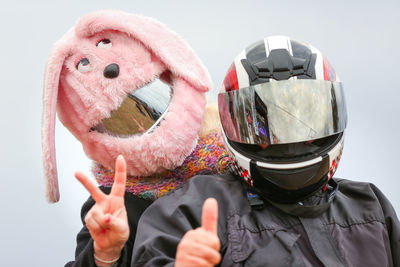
{"x": 144, "y": 50}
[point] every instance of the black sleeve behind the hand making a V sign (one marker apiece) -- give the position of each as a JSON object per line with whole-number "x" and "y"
{"x": 84, "y": 250}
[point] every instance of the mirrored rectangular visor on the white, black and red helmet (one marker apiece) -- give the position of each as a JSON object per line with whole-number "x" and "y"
{"x": 281, "y": 112}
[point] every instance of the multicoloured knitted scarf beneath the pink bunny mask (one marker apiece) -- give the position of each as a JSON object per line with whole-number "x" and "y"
{"x": 208, "y": 157}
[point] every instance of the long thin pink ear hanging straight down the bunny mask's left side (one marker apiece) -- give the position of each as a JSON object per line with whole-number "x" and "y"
{"x": 54, "y": 65}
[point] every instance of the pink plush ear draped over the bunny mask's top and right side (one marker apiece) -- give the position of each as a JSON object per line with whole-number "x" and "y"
{"x": 154, "y": 35}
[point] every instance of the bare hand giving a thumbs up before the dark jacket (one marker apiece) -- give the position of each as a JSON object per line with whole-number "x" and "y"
{"x": 200, "y": 247}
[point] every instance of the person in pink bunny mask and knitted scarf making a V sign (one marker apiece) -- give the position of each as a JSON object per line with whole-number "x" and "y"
{"x": 125, "y": 84}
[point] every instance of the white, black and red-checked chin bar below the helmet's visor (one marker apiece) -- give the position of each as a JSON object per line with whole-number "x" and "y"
{"x": 278, "y": 182}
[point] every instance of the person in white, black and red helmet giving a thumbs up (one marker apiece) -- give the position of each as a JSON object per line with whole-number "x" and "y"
{"x": 283, "y": 116}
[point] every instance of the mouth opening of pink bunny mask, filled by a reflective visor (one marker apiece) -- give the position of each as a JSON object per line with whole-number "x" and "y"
{"x": 140, "y": 112}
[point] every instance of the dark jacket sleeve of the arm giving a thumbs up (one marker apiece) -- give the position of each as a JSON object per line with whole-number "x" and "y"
{"x": 165, "y": 222}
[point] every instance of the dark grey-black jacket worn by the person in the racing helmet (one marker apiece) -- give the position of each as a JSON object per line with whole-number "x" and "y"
{"x": 356, "y": 227}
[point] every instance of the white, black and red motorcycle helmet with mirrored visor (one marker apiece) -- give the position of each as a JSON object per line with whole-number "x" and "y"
{"x": 283, "y": 115}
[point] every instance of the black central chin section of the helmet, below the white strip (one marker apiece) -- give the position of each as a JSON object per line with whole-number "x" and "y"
{"x": 289, "y": 185}
